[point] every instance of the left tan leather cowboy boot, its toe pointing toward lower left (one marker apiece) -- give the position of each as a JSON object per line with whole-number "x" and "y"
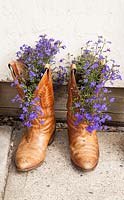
{"x": 33, "y": 145}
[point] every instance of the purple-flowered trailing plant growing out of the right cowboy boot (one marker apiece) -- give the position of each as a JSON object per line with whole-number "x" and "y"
{"x": 94, "y": 69}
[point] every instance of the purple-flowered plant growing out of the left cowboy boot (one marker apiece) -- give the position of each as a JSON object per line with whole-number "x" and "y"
{"x": 35, "y": 59}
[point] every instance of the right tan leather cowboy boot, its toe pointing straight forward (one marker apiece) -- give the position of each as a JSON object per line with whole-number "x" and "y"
{"x": 84, "y": 147}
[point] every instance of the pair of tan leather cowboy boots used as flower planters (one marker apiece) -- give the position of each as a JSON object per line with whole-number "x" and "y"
{"x": 32, "y": 148}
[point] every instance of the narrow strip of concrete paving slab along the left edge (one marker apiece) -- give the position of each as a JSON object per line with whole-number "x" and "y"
{"x": 5, "y": 136}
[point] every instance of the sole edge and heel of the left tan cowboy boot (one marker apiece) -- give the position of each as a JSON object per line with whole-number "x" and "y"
{"x": 38, "y": 165}
